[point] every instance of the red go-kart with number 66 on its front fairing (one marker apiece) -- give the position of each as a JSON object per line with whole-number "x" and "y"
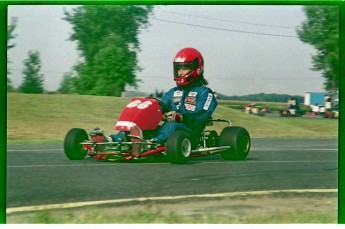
{"x": 140, "y": 121}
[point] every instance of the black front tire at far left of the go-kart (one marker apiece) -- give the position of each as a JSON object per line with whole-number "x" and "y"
{"x": 72, "y": 147}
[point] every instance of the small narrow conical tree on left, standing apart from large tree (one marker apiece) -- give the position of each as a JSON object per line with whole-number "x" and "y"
{"x": 33, "y": 79}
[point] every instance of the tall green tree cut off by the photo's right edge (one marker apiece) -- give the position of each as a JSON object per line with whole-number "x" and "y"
{"x": 321, "y": 30}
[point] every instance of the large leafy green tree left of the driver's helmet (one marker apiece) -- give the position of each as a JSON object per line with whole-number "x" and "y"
{"x": 107, "y": 38}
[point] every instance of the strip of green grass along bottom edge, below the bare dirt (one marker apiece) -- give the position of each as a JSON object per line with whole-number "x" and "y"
{"x": 146, "y": 217}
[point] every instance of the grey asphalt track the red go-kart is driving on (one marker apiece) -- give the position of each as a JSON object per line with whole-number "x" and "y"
{"x": 41, "y": 175}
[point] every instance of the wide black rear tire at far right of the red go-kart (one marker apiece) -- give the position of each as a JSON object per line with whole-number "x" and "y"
{"x": 238, "y": 139}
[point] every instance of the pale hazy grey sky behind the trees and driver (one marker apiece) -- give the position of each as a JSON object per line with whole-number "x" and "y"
{"x": 247, "y": 49}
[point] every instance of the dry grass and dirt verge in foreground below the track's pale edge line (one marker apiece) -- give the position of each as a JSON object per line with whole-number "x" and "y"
{"x": 320, "y": 208}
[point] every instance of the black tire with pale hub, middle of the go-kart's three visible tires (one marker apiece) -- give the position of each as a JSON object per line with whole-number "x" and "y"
{"x": 179, "y": 147}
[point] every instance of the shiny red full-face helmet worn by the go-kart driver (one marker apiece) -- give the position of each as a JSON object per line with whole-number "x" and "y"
{"x": 191, "y": 59}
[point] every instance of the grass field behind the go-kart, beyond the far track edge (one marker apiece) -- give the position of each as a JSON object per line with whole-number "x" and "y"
{"x": 46, "y": 118}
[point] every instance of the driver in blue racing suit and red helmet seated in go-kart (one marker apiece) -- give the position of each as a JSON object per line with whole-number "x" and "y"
{"x": 191, "y": 102}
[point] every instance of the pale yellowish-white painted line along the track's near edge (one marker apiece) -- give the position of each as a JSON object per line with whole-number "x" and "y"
{"x": 228, "y": 194}
